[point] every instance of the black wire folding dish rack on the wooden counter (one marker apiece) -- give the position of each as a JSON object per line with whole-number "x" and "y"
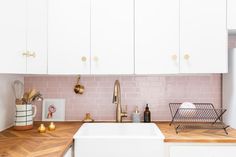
{"x": 203, "y": 116}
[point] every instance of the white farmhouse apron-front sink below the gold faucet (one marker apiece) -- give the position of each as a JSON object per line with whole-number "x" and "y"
{"x": 119, "y": 140}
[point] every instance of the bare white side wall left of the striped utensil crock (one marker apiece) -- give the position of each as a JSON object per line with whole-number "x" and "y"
{"x": 7, "y": 100}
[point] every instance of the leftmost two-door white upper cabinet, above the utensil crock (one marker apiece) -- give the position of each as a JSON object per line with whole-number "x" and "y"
{"x": 23, "y": 36}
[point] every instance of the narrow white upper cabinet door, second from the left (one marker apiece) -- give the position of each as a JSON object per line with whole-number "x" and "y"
{"x": 37, "y": 36}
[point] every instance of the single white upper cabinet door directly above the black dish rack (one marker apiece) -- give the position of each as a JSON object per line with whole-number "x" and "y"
{"x": 203, "y": 36}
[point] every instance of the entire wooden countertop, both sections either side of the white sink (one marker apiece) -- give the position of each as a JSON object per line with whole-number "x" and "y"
{"x": 56, "y": 143}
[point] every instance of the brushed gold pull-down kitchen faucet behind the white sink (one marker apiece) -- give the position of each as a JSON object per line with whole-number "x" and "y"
{"x": 117, "y": 101}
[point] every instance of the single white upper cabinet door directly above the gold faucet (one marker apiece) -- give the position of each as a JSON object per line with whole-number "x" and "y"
{"x": 112, "y": 29}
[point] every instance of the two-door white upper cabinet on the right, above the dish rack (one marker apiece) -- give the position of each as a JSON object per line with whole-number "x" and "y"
{"x": 188, "y": 36}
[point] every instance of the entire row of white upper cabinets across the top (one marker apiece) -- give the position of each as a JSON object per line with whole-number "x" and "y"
{"x": 115, "y": 36}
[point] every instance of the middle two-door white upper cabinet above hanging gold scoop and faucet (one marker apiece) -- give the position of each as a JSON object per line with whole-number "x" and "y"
{"x": 96, "y": 35}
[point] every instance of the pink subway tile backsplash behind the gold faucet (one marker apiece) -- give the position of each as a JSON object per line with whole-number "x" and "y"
{"x": 158, "y": 91}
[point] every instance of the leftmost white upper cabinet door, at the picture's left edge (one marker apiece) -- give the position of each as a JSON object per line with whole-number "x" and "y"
{"x": 12, "y": 36}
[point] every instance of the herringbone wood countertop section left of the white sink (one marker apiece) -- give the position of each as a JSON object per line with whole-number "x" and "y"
{"x": 33, "y": 144}
